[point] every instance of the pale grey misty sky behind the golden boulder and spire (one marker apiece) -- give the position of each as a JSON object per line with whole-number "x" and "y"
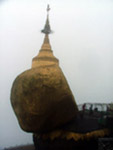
{"x": 82, "y": 41}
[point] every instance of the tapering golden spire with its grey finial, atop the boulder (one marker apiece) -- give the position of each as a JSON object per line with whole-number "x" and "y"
{"x": 45, "y": 56}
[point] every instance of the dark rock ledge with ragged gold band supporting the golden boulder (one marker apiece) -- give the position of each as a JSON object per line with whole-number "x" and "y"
{"x": 80, "y": 134}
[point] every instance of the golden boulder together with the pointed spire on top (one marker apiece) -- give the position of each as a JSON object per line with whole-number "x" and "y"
{"x": 41, "y": 97}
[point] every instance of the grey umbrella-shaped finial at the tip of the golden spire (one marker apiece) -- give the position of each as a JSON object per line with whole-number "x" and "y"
{"x": 47, "y": 29}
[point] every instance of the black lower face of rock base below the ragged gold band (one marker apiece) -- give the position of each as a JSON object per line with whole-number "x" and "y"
{"x": 105, "y": 143}
